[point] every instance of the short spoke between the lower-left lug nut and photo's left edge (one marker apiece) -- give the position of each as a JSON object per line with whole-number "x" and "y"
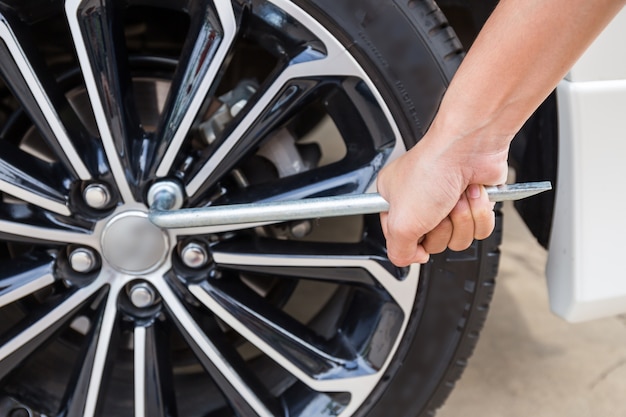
{"x": 24, "y": 279}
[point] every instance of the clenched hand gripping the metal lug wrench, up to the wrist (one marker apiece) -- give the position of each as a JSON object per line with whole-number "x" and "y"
{"x": 433, "y": 206}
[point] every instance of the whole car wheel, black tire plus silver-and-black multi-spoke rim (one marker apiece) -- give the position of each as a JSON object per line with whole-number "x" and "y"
{"x": 103, "y": 111}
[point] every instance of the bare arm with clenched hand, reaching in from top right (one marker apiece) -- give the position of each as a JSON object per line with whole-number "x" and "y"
{"x": 523, "y": 51}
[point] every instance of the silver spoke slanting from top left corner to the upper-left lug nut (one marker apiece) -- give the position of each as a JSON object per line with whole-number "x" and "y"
{"x": 33, "y": 95}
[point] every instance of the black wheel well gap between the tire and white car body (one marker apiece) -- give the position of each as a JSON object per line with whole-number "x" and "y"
{"x": 534, "y": 151}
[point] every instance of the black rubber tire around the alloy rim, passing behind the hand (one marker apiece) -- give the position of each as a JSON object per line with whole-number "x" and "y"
{"x": 411, "y": 53}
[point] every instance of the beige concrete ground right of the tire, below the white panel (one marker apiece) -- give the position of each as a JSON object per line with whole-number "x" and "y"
{"x": 531, "y": 363}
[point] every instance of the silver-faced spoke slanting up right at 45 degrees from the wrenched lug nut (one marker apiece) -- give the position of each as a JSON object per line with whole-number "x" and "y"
{"x": 309, "y": 64}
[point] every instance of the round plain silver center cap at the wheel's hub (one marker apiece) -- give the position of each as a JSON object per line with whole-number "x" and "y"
{"x": 132, "y": 244}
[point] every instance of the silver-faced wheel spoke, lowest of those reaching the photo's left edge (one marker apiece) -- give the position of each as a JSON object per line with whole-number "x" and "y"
{"x": 35, "y": 333}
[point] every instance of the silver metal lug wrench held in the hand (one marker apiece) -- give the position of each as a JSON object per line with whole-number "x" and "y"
{"x": 281, "y": 211}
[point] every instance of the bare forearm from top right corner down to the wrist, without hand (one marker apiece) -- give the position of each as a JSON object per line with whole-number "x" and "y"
{"x": 523, "y": 51}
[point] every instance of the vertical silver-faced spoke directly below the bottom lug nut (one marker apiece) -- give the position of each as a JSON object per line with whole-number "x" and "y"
{"x": 154, "y": 396}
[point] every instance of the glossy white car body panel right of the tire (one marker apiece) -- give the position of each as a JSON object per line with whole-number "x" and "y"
{"x": 585, "y": 270}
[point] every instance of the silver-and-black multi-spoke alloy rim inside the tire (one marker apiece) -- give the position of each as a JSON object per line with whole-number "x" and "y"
{"x": 144, "y": 312}
